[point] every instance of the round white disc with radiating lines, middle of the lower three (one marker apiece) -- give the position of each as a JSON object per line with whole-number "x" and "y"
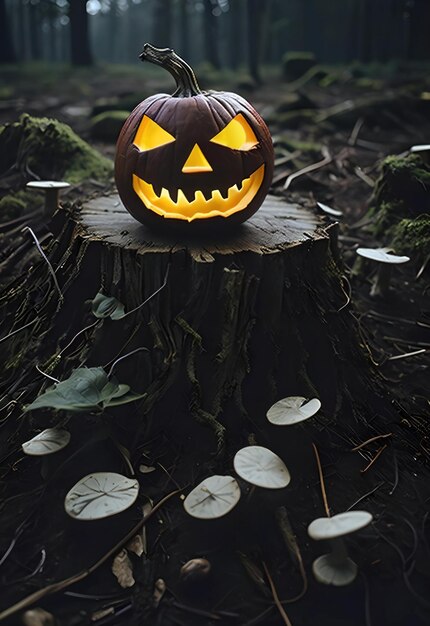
{"x": 213, "y": 497}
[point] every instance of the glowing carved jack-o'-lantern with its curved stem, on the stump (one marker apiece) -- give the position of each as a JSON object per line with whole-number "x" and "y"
{"x": 192, "y": 159}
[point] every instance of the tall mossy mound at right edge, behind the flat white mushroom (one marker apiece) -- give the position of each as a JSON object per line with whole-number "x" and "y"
{"x": 401, "y": 192}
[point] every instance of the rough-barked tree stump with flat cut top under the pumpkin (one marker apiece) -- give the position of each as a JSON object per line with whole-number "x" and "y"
{"x": 241, "y": 322}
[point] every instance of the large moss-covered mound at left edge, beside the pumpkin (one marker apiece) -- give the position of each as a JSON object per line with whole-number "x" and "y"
{"x": 48, "y": 149}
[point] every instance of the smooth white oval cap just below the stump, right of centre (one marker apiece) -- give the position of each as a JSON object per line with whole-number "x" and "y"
{"x": 261, "y": 467}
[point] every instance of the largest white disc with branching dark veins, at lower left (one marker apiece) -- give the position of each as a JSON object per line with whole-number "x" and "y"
{"x": 100, "y": 495}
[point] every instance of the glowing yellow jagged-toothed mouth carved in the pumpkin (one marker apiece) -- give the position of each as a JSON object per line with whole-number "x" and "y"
{"x": 199, "y": 208}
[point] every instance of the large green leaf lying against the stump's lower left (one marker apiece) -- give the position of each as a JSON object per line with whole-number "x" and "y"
{"x": 87, "y": 388}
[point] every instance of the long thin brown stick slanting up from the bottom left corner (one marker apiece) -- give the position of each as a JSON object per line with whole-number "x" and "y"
{"x": 66, "y": 582}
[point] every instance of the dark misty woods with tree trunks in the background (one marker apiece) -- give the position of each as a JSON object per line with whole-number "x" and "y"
{"x": 224, "y": 33}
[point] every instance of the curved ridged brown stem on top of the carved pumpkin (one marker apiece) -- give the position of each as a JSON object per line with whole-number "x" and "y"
{"x": 167, "y": 58}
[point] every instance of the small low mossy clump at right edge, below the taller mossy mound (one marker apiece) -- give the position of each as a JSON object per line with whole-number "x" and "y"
{"x": 412, "y": 237}
